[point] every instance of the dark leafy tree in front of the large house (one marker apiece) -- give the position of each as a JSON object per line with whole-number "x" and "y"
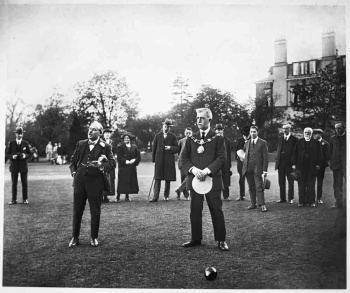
{"x": 321, "y": 101}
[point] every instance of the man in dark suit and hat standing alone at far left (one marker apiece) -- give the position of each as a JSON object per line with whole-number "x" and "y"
{"x": 18, "y": 152}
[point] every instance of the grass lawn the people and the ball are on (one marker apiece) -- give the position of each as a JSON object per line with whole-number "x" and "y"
{"x": 140, "y": 242}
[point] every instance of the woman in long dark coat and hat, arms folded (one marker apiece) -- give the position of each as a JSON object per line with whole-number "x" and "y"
{"x": 128, "y": 156}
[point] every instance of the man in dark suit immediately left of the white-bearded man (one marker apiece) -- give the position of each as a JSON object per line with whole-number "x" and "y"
{"x": 285, "y": 148}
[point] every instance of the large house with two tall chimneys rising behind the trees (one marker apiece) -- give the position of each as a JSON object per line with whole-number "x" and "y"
{"x": 283, "y": 76}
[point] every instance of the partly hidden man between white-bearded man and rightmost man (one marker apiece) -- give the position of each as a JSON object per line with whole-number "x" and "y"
{"x": 320, "y": 174}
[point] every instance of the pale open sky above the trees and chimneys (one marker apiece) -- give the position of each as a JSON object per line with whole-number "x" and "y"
{"x": 229, "y": 47}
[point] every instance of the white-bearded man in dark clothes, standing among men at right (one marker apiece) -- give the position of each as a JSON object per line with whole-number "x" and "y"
{"x": 307, "y": 158}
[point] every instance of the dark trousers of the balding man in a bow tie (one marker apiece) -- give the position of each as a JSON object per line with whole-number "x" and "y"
{"x": 87, "y": 188}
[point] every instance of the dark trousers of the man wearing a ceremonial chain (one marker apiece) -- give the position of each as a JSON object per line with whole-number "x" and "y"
{"x": 215, "y": 207}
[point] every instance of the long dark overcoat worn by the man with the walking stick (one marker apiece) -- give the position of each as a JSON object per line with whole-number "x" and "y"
{"x": 164, "y": 168}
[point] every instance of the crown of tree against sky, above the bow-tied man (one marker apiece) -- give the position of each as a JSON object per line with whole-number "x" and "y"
{"x": 106, "y": 98}
